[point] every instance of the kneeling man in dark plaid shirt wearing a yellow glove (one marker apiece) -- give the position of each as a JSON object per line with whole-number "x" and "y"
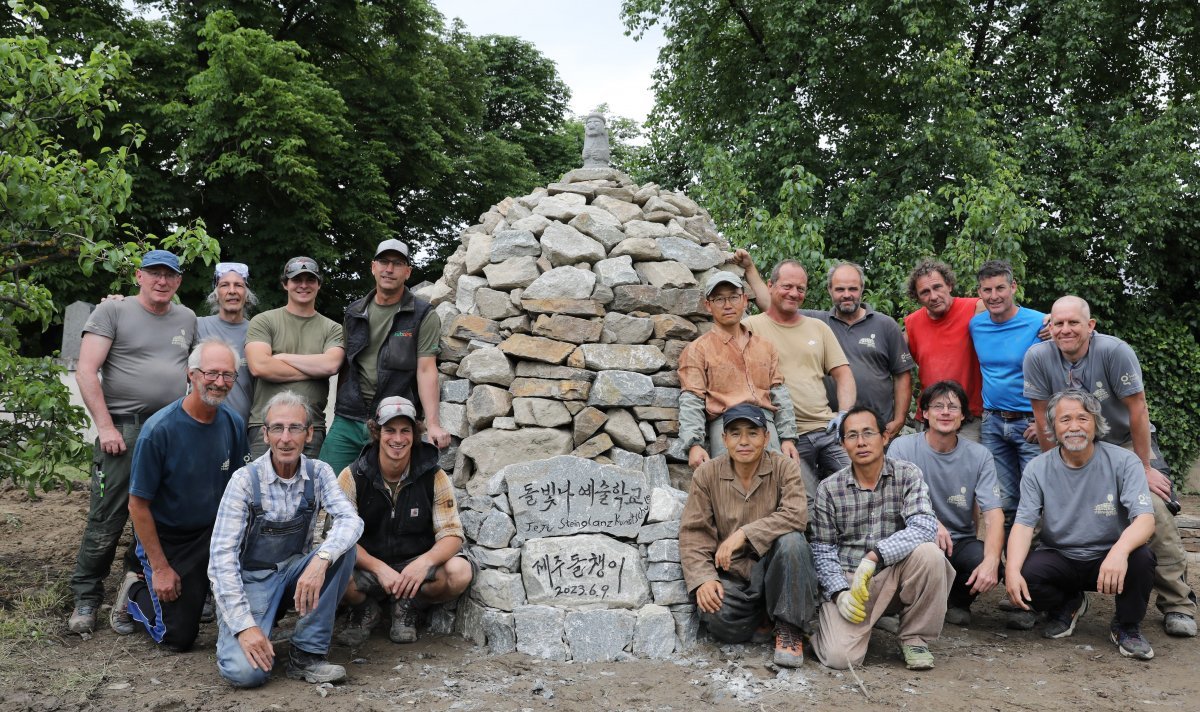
{"x": 873, "y": 545}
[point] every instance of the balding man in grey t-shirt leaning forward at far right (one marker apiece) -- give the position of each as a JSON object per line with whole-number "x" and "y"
{"x": 1106, "y": 367}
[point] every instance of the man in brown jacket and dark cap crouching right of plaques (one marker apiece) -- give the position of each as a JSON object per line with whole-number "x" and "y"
{"x": 742, "y": 545}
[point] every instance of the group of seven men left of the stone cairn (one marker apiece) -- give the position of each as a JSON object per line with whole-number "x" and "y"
{"x": 212, "y": 440}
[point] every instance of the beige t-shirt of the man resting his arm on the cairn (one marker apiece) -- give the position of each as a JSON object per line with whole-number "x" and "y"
{"x": 808, "y": 351}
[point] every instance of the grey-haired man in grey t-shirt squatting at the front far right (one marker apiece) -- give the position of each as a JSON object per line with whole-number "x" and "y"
{"x": 1095, "y": 510}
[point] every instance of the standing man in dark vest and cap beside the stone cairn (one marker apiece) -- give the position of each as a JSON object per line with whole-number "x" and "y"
{"x": 392, "y": 348}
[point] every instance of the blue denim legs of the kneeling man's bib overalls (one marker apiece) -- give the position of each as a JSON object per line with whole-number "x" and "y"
{"x": 267, "y": 590}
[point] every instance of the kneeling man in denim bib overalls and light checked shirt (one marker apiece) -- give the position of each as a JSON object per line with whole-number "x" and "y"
{"x": 261, "y": 561}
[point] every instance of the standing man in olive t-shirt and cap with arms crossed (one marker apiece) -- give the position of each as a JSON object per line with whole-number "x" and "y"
{"x": 293, "y": 349}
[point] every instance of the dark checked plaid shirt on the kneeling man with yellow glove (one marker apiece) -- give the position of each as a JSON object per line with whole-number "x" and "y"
{"x": 850, "y": 522}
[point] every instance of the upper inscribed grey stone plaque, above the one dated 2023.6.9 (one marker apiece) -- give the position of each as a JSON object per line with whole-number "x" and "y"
{"x": 568, "y": 495}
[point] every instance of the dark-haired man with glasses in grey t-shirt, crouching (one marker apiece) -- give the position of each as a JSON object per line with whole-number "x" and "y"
{"x": 959, "y": 474}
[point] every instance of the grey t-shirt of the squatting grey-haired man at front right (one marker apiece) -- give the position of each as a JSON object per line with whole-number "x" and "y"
{"x": 1084, "y": 512}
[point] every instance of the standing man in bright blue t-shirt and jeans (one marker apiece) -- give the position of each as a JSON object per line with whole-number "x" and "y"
{"x": 1001, "y": 338}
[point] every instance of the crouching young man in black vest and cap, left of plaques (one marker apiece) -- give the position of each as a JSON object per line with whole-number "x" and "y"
{"x": 411, "y": 551}
